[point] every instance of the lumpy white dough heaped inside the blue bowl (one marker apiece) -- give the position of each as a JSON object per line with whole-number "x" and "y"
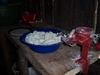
{"x": 42, "y": 38}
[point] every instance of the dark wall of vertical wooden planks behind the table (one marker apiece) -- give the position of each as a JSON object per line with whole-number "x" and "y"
{"x": 65, "y": 14}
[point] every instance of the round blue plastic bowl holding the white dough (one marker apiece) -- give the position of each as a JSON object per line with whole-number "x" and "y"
{"x": 42, "y": 48}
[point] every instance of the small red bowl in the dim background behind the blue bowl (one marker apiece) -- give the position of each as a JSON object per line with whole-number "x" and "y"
{"x": 28, "y": 17}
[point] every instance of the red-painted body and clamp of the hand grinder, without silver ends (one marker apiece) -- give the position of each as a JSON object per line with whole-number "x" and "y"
{"x": 81, "y": 36}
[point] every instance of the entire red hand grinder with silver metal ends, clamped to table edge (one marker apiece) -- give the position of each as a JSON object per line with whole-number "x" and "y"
{"x": 85, "y": 37}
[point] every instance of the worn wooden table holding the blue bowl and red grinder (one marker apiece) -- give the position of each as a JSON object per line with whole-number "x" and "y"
{"x": 60, "y": 62}
